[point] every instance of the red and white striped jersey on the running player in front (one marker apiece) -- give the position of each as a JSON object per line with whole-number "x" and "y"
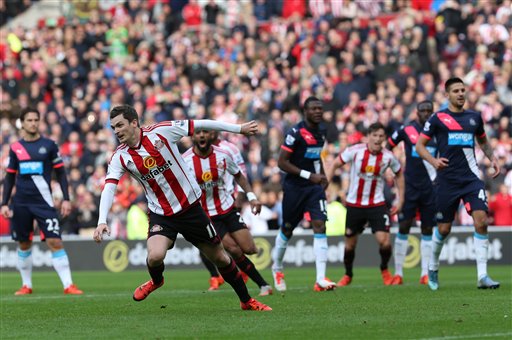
{"x": 158, "y": 166}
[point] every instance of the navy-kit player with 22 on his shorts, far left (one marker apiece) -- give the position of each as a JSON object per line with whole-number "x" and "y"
{"x": 31, "y": 161}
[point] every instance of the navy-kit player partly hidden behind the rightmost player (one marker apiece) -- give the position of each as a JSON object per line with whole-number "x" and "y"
{"x": 419, "y": 193}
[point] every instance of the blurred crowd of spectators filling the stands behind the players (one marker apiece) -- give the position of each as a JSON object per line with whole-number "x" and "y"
{"x": 241, "y": 60}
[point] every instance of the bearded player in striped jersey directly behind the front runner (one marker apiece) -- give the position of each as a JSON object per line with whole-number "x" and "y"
{"x": 211, "y": 164}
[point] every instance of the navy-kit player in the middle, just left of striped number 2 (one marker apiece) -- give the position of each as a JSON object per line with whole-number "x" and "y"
{"x": 304, "y": 191}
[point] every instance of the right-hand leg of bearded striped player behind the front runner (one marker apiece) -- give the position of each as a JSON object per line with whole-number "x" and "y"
{"x": 237, "y": 244}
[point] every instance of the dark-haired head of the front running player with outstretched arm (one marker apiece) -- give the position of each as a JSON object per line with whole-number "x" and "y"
{"x": 124, "y": 120}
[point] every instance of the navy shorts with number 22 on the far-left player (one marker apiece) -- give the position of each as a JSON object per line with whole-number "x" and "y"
{"x": 22, "y": 228}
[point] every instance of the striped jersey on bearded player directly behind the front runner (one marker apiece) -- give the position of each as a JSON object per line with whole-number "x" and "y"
{"x": 210, "y": 173}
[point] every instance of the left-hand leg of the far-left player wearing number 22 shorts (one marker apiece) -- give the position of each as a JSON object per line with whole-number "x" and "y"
{"x": 22, "y": 231}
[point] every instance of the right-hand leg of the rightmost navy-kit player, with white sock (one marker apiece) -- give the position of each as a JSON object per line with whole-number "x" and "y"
{"x": 476, "y": 205}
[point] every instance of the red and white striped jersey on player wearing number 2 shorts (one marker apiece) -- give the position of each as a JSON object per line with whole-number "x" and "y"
{"x": 367, "y": 174}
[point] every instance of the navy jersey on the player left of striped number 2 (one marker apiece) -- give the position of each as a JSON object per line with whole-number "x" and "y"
{"x": 306, "y": 146}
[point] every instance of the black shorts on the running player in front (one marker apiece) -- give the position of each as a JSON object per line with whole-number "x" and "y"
{"x": 193, "y": 224}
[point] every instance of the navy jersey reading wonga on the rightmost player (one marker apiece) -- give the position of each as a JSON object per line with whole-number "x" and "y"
{"x": 455, "y": 136}
